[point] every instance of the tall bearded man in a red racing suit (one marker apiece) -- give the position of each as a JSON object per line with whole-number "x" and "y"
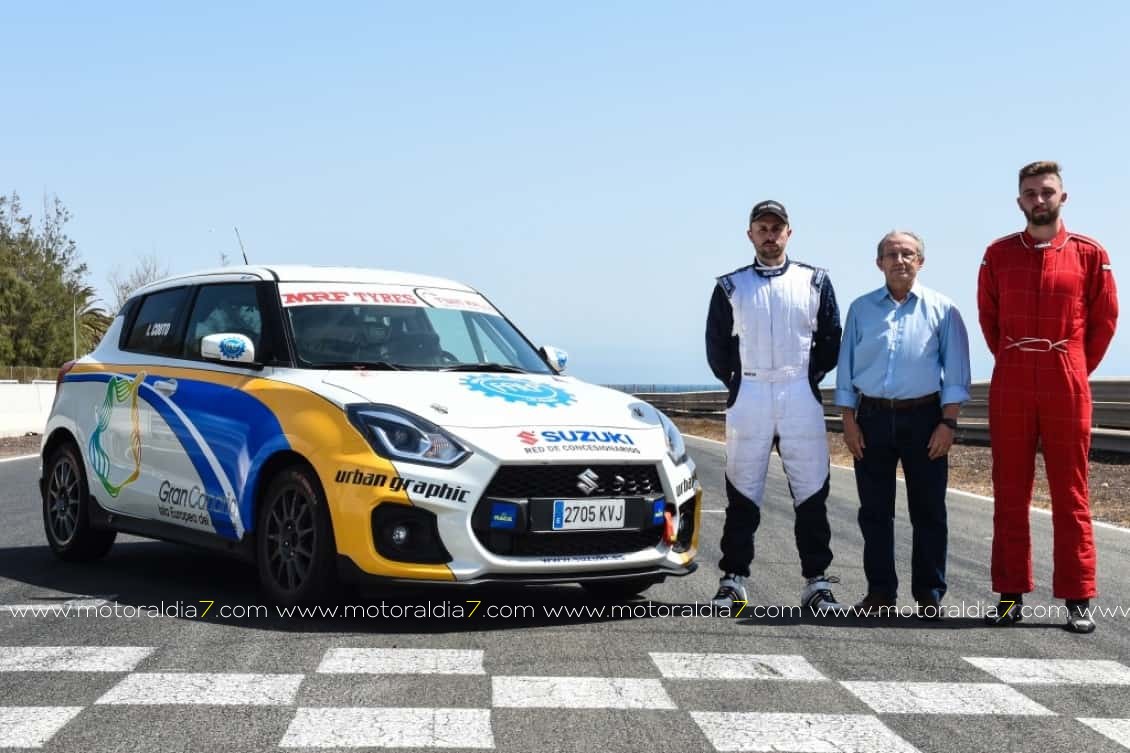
{"x": 1048, "y": 308}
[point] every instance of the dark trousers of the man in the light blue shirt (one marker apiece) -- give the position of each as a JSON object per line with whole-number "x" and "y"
{"x": 893, "y": 437}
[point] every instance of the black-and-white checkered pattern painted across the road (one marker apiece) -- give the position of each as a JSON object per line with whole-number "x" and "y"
{"x": 318, "y": 709}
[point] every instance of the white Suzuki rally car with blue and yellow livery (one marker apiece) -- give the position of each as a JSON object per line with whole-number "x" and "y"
{"x": 351, "y": 425}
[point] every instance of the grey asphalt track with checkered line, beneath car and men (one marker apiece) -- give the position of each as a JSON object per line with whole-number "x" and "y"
{"x": 149, "y": 671}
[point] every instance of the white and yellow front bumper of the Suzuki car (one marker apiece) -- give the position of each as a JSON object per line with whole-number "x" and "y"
{"x": 458, "y": 544}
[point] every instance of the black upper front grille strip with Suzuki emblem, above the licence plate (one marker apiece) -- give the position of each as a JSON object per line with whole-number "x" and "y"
{"x": 526, "y": 482}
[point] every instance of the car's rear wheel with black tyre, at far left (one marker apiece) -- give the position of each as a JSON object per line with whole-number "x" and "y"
{"x": 67, "y": 509}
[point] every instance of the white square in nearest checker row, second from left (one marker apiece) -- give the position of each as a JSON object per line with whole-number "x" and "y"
{"x": 363, "y": 728}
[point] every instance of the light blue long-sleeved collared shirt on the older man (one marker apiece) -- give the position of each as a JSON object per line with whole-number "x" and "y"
{"x": 901, "y": 351}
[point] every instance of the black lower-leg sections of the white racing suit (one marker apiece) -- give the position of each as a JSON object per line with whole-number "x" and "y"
{"x": 811, "y": 529}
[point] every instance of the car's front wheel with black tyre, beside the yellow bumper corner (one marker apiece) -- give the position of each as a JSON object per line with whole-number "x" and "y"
{"x": 294, "y": 543}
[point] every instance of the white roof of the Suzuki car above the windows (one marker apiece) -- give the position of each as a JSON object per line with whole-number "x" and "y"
{"x": 303, "y": 274}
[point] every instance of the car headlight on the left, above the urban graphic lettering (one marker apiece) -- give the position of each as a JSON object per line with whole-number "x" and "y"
{"x": 401, "y": 436}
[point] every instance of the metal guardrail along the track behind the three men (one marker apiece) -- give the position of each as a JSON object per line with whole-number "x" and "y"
{"x": 1110, "y": 420}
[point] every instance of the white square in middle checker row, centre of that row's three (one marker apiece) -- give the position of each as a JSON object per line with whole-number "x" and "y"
{"x": 579, "y": 694}
